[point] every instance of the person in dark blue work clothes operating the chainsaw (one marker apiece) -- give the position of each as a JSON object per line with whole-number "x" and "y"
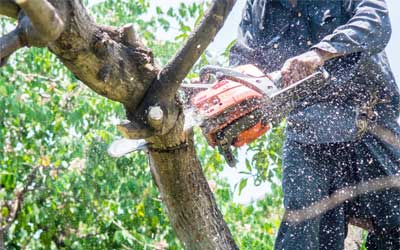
{"x": 326, "y": 147}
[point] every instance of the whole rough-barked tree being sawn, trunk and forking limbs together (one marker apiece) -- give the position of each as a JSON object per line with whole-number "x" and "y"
{"x": 113, "y": 63}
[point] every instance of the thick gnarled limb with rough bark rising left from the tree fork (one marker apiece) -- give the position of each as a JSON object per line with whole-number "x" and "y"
{"x": 104, "y": 58}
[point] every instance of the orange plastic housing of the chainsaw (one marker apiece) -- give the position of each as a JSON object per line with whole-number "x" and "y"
{"x": 224, "y": 98}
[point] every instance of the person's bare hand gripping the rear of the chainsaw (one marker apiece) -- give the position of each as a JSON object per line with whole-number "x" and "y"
{"x": 299, "y": 67}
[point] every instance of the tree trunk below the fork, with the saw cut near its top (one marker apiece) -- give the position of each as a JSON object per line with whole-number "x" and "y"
{"x": 184, "y": 190}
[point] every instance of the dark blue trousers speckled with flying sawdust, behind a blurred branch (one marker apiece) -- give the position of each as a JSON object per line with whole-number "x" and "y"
{"x": 313, "y": 172}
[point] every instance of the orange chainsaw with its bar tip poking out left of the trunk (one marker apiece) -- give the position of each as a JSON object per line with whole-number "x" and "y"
{"x": 235, "y": 106}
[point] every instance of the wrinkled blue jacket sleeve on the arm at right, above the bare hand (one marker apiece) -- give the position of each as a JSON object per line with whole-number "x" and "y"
{"x": 368, "y": 29}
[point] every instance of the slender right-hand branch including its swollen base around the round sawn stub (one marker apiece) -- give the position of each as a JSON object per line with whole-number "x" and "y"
{"x": 163, "y": 90}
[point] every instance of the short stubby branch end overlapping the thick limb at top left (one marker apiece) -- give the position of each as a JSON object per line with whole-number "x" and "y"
{"x": 44, "y": 18}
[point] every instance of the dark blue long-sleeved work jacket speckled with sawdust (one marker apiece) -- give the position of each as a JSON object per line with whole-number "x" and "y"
{"x": 273, "y": 31}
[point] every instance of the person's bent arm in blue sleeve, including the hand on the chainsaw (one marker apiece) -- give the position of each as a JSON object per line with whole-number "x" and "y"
{"x": 367, "y": 31}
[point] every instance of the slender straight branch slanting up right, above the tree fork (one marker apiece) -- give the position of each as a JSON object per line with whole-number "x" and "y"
{"x": 177, "y": 69}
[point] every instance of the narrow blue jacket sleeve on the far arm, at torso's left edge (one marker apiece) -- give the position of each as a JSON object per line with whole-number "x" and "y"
{"x": 240, "y": 52}
